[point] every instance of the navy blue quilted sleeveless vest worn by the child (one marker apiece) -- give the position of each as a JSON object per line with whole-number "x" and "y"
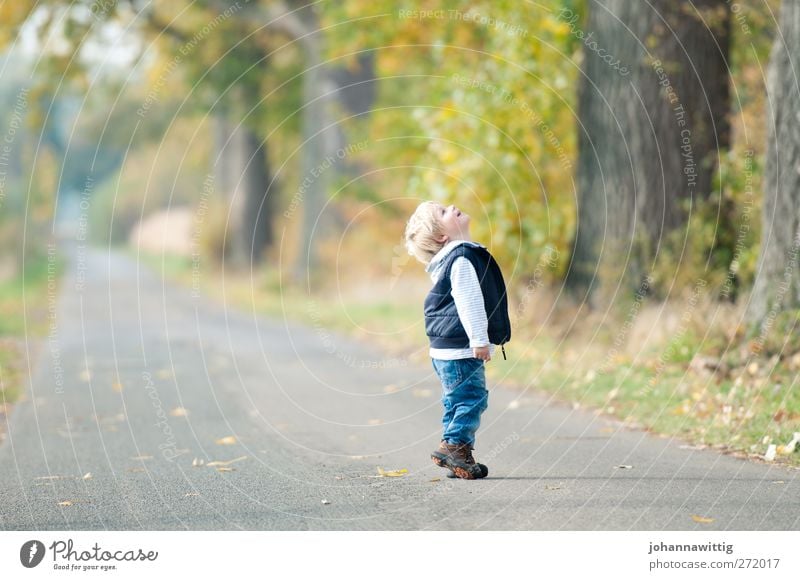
{"x": 442, "y": 325}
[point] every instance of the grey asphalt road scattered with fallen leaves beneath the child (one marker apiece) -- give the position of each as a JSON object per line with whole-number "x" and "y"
{"x": 140, "y": 382}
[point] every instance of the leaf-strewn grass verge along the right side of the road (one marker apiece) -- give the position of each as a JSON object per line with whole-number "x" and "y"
{"x": 741, "y": 409}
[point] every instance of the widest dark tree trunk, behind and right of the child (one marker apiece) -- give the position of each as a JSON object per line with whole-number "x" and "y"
{"x": 652, "y": 104}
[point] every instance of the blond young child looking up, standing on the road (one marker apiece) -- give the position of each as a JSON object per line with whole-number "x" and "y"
{"x": 466, "y": 314}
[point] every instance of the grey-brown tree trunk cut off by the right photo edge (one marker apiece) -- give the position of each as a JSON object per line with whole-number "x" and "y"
{"x": 776, "y": 283}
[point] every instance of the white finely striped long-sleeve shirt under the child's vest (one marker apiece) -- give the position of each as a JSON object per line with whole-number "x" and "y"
{"x": 468, "y": 298}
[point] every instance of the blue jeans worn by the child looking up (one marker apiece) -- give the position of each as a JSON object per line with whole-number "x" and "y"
{"x": 464, "y": 397}
